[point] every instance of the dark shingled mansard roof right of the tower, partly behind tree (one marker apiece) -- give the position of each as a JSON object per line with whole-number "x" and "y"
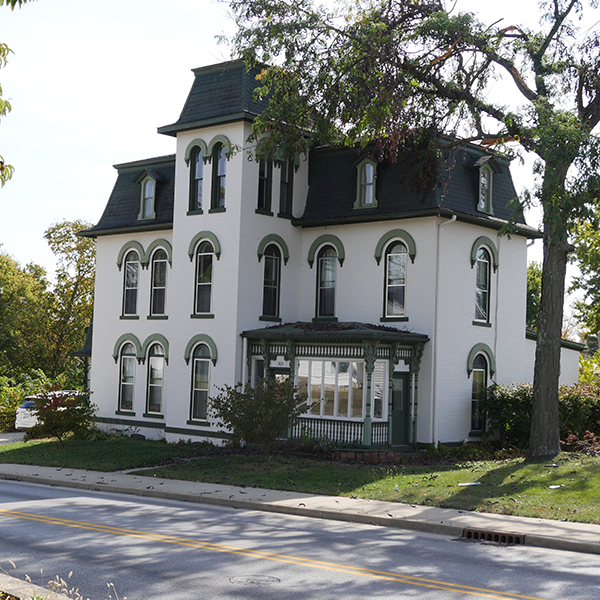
{"x": 332, "y": 190}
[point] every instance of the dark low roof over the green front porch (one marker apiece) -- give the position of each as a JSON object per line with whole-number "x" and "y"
{"x": 338, "y": 331}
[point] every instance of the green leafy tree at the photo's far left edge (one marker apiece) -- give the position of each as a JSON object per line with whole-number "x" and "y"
{"x": 25, "y": 309}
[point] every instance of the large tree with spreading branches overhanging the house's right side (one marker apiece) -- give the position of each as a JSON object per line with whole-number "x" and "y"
{"x": 413, "y": 77}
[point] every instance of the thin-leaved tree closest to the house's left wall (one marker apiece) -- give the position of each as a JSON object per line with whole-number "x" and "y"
{"x": 73, "y": 293}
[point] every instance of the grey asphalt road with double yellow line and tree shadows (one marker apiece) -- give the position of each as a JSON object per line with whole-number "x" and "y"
{"x": 176, "y": 551}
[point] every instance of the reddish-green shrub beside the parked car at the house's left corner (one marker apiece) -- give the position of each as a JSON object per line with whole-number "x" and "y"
{"x": 62, "y": 413}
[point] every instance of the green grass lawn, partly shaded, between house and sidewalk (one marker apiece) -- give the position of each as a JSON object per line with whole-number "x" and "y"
{"x": 568, "y": 489}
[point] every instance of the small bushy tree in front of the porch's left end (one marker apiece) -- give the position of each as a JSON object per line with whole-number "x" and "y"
{"x": 261, "y": 414}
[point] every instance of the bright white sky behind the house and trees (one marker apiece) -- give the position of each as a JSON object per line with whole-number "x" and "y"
{"x": 90, "y": 82}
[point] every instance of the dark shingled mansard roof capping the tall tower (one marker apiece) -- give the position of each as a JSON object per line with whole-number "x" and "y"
{"x": 220, "y": 93}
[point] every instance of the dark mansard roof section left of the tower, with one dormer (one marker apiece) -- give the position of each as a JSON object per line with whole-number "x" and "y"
{"x": 123, "y": 208}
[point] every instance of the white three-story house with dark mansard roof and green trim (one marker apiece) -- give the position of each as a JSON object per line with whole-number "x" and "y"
{"x": 391, "y": 308}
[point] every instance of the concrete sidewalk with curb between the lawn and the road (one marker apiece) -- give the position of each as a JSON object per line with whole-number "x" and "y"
{"x": 531, "y": 532}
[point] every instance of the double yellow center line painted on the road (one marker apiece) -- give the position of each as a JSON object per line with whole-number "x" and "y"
{"x": 283, "y": 558}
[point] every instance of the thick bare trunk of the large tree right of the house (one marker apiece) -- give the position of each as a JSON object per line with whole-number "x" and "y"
{"x": 544, "y": 440}
